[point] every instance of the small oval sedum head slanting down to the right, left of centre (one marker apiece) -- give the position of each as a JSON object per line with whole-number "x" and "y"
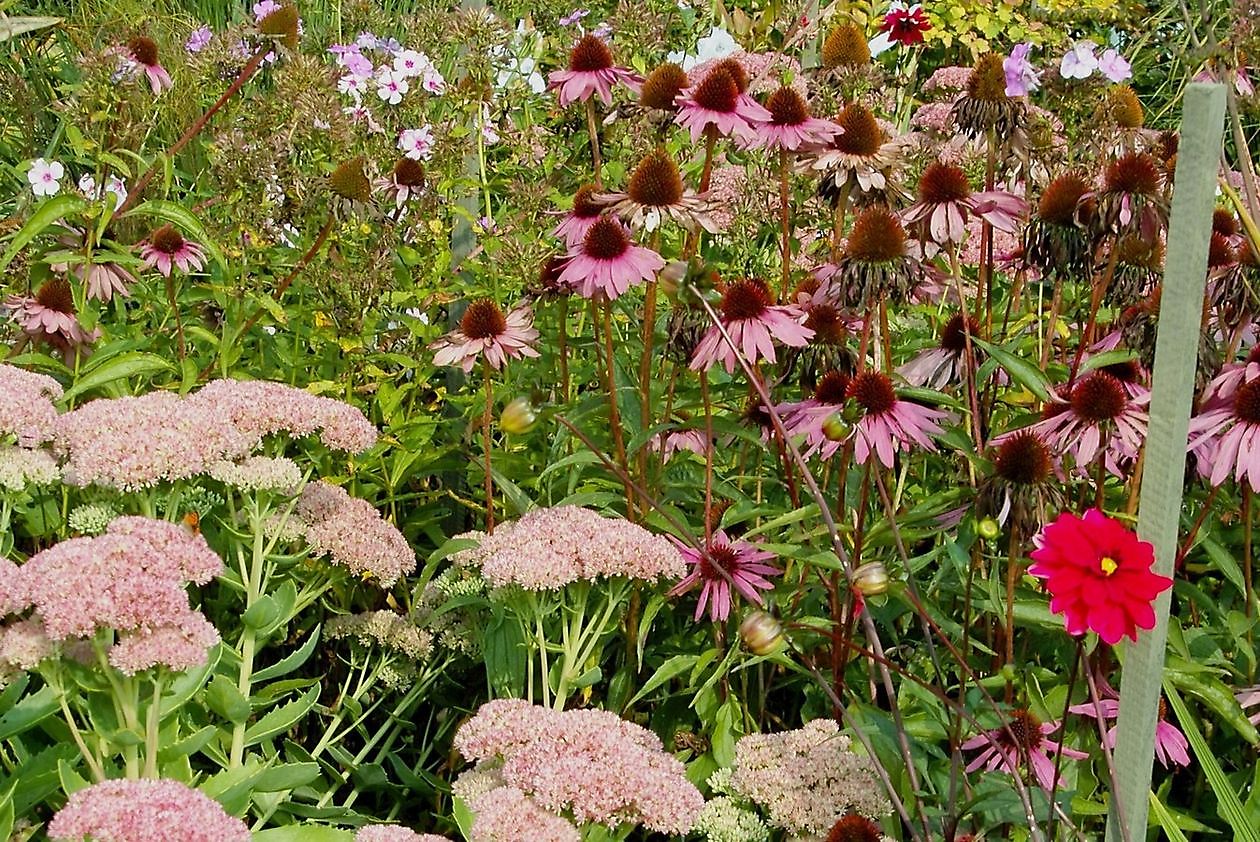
{"x": 352, "y": 534}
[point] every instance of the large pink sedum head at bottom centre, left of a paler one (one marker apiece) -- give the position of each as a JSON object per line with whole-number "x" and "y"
{"x": 589, "y": 764}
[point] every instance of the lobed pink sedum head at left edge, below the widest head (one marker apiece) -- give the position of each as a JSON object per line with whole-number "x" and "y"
{"x": 130, "y": 580}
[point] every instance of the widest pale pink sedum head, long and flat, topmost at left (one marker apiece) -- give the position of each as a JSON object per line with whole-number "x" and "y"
{"x": 134, "y": 443}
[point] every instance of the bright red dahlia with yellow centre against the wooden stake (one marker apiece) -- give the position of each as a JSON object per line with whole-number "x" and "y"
{"x": 1098, "y": 574}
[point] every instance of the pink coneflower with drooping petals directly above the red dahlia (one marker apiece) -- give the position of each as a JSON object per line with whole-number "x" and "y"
{"x": 1098, "y": 419}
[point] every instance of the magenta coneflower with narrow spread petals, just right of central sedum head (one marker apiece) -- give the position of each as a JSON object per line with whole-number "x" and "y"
{"x": 719, "y": 567}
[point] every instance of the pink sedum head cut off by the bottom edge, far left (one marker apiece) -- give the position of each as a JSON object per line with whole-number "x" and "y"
{"x": 144, "y": 811}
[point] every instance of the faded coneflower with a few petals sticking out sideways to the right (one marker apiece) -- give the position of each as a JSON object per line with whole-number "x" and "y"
{"x": 946, "y": 200}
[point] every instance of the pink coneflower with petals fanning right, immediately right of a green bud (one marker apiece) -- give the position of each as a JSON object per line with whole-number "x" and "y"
{"x": 888, "y": 423}
